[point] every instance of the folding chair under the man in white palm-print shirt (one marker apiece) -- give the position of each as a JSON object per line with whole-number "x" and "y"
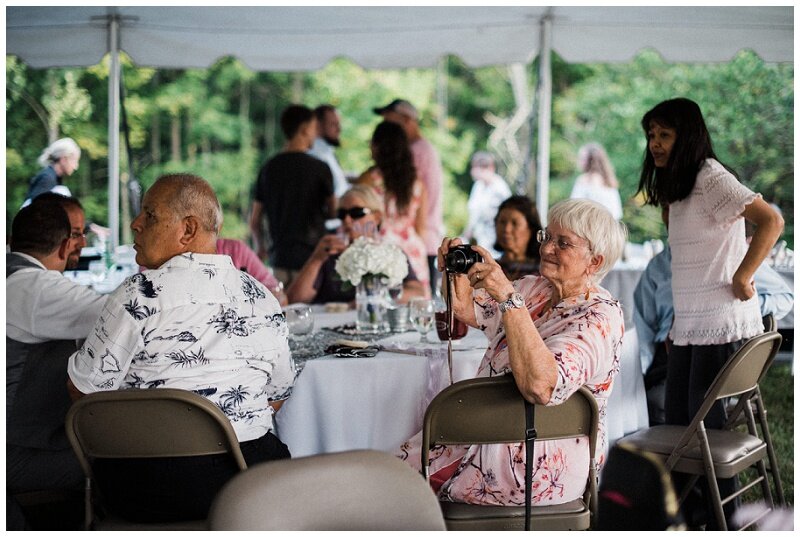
{"x": 146, "y": 424}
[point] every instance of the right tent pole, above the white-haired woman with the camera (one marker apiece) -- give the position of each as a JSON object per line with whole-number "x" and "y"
{"x": 543, "y": 128}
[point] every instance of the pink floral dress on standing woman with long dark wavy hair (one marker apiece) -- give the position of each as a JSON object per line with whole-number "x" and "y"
{"x": 398, "y": 228}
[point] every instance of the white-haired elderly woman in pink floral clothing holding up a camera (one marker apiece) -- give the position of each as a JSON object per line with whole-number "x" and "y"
{"x": 555, "y": 332}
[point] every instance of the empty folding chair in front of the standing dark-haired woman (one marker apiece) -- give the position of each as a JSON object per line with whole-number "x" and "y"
{"x": 720, "y": 453}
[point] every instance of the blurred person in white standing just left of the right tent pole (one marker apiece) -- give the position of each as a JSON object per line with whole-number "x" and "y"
{"x": 488, "y": 192}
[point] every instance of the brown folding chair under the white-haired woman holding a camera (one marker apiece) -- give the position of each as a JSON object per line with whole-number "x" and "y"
{"x": 491, "y": 410}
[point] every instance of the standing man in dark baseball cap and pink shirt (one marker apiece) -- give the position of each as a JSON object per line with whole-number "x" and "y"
{"x": 429, "y": 170}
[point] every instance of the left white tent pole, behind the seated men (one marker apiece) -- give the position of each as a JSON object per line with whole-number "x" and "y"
{"x": 113, "y": 130}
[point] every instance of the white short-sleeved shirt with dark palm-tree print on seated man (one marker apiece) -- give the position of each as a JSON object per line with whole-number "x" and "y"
{"x": 196, "y": 323}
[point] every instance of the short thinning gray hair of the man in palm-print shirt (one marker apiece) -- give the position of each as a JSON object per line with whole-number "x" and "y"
{"x": 192, "y": 195}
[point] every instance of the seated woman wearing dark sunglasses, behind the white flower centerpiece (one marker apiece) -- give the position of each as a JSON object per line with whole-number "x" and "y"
{"x": 360, "y": 210}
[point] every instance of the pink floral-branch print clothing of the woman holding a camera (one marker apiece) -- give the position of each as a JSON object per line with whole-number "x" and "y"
{"x": 585, "y": 334}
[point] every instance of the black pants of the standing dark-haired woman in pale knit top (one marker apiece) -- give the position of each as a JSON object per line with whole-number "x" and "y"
{"x": 690, "y": 371}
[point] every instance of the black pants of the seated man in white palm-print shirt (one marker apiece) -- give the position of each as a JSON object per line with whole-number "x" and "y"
{"x": 175, "y": 488}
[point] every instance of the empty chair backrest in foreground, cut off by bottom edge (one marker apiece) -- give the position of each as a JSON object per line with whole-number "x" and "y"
{"x": 352, "y": 490}
